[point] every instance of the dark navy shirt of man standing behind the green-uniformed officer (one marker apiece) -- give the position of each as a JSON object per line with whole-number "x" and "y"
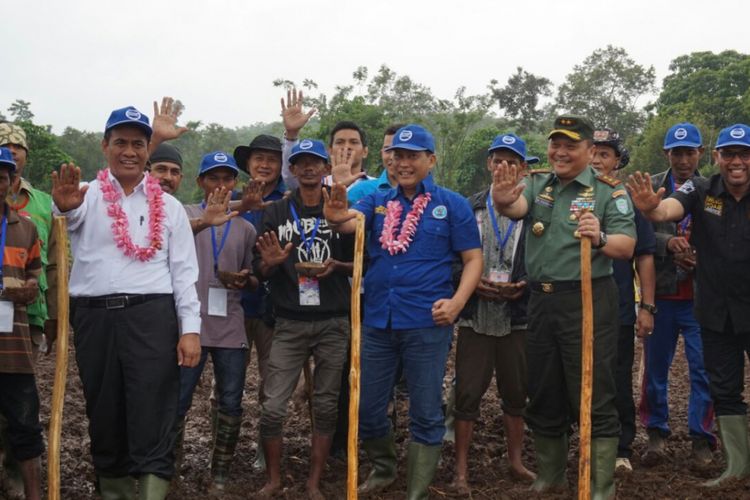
{"x": 623, "y": 272}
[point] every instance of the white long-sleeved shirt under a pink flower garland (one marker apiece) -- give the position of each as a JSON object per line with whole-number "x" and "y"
{"x": 100, "y": 268}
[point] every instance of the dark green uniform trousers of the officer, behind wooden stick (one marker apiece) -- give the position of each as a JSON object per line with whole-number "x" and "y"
{"x": 553, "y": 356}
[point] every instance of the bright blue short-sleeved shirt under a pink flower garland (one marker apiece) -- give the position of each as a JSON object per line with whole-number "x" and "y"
{"x": 402, "y": 288}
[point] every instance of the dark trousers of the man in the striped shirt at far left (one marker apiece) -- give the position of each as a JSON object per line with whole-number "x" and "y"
{"x": 19, "y": 404}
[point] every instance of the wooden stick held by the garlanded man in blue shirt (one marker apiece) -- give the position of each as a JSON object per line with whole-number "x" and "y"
{"x": 354, "y": 371}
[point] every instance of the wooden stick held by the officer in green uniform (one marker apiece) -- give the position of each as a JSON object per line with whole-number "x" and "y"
{"x": 587, "y": 364}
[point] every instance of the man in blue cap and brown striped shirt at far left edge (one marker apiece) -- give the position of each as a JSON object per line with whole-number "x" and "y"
{"x": 20, "y": 268}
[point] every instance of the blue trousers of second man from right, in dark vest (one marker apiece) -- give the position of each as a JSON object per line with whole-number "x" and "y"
{"x": 675, "y": 317}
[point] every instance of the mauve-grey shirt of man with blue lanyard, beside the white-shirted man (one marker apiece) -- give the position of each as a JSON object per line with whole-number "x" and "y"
{"x": 236, "y": 254}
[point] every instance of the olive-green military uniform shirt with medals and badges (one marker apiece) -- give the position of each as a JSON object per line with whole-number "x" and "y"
{"x": 555, "y": 254}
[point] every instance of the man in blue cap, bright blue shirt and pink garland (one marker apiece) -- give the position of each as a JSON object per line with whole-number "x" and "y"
{"x": 416, "y": 231}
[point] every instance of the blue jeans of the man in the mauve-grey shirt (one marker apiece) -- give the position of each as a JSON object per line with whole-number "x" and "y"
{"x": 229, "y": 370}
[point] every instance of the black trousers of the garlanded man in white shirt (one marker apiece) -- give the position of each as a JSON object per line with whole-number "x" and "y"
{"x": 127, "y": 361}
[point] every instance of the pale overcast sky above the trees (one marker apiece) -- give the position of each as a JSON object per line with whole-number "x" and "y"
{"x": 76, "y": 60}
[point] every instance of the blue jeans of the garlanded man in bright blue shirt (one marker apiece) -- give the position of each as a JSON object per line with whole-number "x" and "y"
{"x": 423, "y": 354}
